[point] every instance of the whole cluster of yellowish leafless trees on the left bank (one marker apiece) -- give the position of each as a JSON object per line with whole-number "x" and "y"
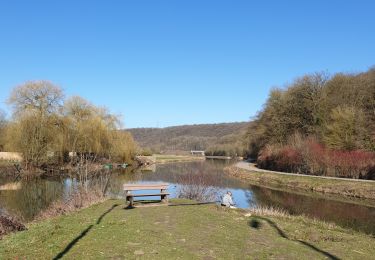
{"x": 49, "y": 129}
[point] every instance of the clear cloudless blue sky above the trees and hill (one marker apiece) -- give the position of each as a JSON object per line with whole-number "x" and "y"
{"x": 161, "y": 63}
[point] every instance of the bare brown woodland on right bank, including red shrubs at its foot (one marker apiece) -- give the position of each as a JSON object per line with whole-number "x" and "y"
{"x": 319, "y": 124}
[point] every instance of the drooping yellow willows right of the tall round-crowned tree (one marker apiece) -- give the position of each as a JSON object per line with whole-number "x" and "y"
{"x": 94, "y": 131}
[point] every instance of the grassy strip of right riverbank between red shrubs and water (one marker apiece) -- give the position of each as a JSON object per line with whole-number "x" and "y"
{"x": 334, "y": 186}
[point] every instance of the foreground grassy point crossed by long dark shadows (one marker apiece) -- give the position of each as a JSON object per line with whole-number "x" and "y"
{"x": 107, "y": 230}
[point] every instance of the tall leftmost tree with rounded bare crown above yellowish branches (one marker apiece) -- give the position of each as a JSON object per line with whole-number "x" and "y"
{"x": 35, "y": 106}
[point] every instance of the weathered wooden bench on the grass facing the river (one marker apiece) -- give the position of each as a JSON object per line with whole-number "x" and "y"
{"x": 163, "y": 187}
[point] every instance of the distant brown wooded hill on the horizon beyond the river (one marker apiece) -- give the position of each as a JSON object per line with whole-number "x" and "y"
{"x": 189, "y": 137}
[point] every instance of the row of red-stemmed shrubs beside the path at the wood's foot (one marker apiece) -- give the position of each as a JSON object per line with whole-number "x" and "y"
{"x": 313, "y": 158}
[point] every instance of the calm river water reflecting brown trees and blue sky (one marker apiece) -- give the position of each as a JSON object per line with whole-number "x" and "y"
{"x": 36, "y": 195}
